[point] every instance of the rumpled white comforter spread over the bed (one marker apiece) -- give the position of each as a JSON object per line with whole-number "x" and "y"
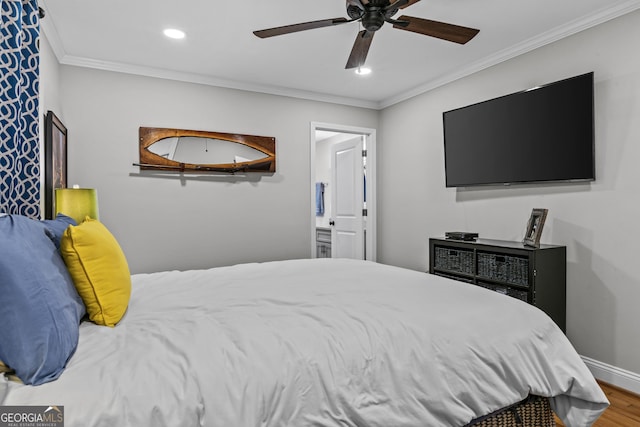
{"x": 314, "y": 343}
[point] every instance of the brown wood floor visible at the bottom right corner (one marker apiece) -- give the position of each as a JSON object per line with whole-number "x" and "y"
{"x": 624, "y": 410}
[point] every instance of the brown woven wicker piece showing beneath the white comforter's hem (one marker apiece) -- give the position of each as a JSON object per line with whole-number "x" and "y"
{"x": 534, "y": 411}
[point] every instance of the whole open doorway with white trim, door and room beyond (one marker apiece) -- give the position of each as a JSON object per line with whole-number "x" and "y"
{"x": 343, "y": 214}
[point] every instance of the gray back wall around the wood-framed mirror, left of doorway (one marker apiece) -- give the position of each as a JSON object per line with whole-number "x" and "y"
{"x": 169, "y": 221}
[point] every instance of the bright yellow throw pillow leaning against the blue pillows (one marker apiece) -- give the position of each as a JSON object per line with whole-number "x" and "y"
{"x": 99, "y": 270}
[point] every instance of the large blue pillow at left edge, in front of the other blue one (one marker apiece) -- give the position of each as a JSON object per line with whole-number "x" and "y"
{"x": 41, "y": 309}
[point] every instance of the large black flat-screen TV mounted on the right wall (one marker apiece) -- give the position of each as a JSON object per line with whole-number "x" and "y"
{"x": 541, "y": 134}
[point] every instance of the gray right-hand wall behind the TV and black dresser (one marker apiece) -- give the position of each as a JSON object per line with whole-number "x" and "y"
{"x": 597, "y": 222}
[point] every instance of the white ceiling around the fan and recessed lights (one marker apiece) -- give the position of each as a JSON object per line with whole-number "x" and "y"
{"x": 220, "y": 48}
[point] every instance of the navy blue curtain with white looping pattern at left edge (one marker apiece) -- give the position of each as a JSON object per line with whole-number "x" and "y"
{"x": 19, "y": 108}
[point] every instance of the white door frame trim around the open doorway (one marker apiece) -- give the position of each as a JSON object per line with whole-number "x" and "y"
{"x": 370, "y": 186}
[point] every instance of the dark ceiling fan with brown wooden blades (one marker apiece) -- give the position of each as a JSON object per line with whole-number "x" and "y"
{"x": 373, "y": 14}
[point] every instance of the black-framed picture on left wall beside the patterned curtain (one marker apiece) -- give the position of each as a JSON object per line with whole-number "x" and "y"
{"x": 55, "y": 164}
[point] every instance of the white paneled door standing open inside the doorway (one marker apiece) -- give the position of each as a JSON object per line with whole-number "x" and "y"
{"x": 347, "y": 200}
